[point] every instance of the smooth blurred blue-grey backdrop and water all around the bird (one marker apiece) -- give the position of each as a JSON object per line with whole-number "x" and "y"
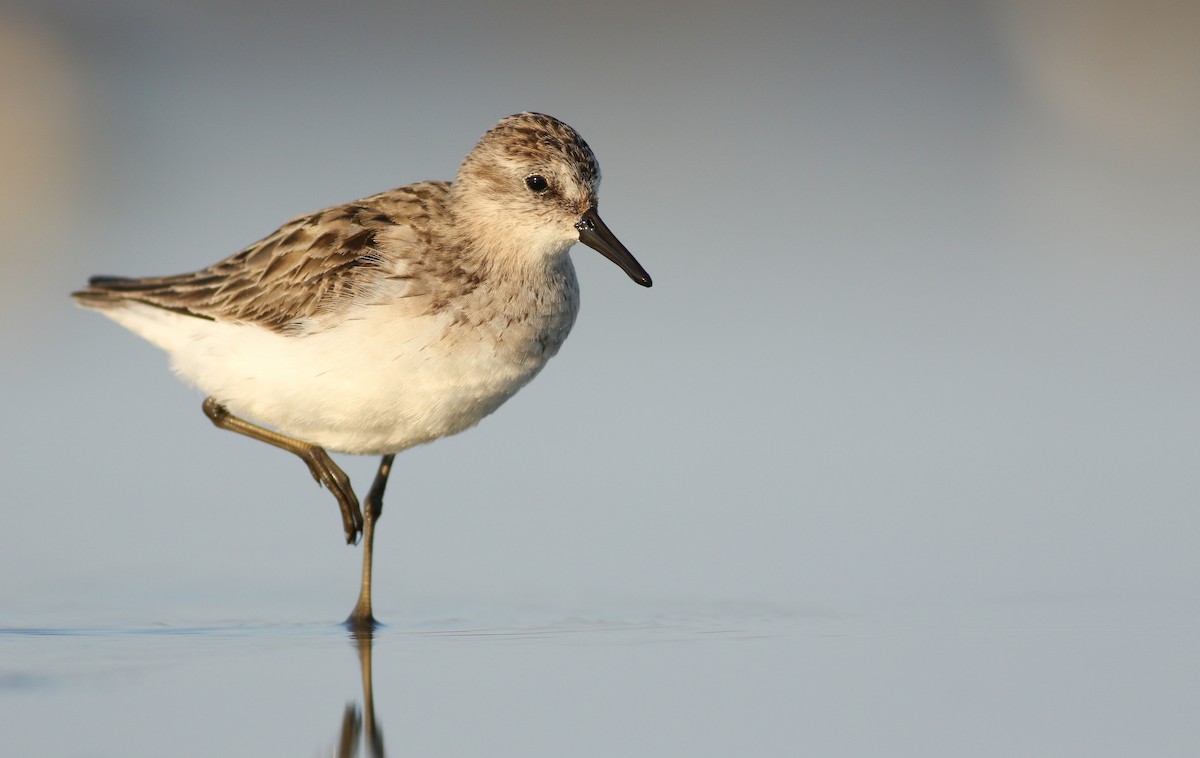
{"x": 899, "y": 456}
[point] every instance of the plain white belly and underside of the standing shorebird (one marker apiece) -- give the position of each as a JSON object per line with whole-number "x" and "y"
{"x": 364, "y": 387}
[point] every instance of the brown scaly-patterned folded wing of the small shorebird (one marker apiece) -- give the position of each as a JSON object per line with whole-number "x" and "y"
{"x": 313, "y": 264}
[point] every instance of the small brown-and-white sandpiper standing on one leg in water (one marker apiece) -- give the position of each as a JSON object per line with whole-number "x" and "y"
{"x": 387, "y": 322}
